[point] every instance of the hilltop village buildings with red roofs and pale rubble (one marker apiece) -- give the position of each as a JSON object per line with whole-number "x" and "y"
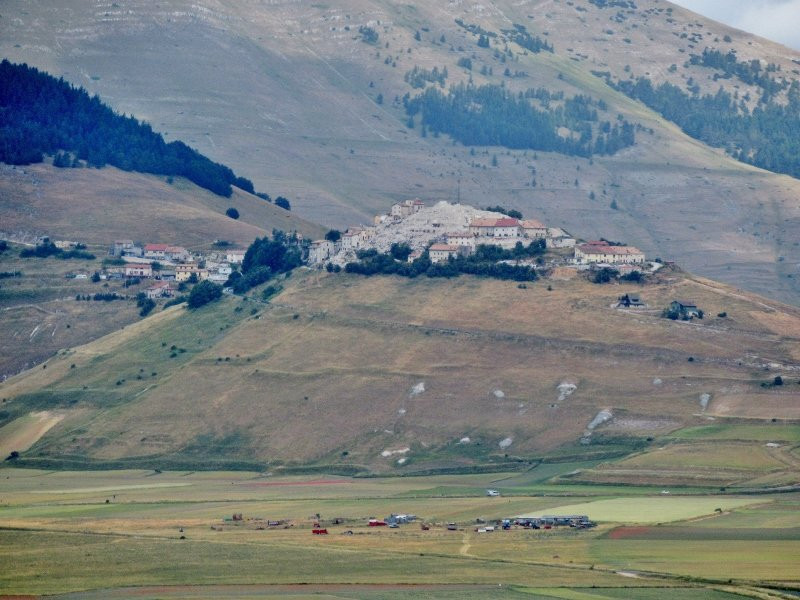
{"x": 452, "y": 239}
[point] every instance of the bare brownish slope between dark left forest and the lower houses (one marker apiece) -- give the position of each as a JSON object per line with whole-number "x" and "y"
{"x": 98, "y": 206}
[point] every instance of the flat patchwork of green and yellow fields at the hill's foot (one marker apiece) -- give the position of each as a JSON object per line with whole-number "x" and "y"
{"x": 169, "y": 530}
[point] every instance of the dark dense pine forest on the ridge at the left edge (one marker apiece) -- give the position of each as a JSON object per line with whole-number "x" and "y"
{"x": 40, "y": 115}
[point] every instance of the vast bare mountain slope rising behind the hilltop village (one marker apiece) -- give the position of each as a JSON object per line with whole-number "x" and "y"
{"x": 225, "y": 78}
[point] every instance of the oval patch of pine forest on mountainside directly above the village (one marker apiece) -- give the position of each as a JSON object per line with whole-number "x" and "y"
{"x": 491, "y": 115}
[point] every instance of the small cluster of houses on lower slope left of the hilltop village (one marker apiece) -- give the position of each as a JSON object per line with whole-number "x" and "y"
{"x": 168, "y": 263}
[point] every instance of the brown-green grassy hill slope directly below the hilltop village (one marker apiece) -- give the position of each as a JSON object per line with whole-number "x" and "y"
{"x": 395, "y": 375}
